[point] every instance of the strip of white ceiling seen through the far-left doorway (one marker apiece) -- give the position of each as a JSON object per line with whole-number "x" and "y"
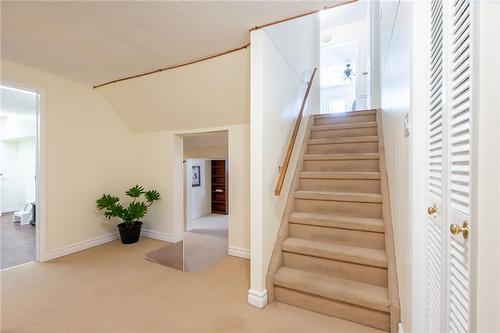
{"x": 18, "y": 102}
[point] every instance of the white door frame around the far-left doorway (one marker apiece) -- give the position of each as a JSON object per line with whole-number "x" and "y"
{"x": 40, "y": 183}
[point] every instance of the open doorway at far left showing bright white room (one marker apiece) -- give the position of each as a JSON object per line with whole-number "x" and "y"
{"x": 19, "y": 111}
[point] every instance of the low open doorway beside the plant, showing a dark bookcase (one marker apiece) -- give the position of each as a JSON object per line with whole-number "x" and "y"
{"x": 206, "y": 219}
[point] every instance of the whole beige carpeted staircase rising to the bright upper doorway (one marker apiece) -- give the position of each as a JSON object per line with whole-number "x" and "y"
{"x": 331, "y": 255}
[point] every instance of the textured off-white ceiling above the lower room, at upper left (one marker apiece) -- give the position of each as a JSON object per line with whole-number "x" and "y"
{"x": 98, "y": 41}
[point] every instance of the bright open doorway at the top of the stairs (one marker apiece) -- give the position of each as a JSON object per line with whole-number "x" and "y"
{"x": 345, "y": 58}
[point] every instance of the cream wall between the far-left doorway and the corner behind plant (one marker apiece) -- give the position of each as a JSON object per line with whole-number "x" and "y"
{"x": 88, "y": 151}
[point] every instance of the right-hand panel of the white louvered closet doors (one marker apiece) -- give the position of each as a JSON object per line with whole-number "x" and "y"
{"x": 459, "y": 166}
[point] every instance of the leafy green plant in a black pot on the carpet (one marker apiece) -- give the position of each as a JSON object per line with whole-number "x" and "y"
{"x": 130, "y": 228}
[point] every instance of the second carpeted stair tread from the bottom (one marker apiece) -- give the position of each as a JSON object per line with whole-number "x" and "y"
{"x": 330, "y": 250}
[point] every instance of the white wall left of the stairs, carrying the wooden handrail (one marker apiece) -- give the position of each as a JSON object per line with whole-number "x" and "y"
{"x": 281, "y": 61}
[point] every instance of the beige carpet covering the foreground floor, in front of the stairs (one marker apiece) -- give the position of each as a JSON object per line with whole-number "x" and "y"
{"x": 111, "y": 288}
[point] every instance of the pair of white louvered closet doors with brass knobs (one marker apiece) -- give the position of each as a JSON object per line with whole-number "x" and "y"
{"x": 449, "y": 167}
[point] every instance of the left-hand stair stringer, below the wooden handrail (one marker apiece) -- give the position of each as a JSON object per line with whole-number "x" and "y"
{"x": 276, "y": 257}
